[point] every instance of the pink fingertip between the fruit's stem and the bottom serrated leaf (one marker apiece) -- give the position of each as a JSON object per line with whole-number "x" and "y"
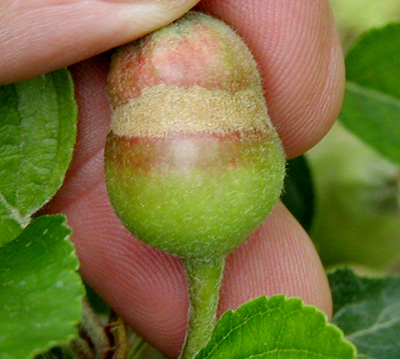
{"x": 279, "y": 258}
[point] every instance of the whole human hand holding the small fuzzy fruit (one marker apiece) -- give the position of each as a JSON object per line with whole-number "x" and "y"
{"x": 298, "y": 52}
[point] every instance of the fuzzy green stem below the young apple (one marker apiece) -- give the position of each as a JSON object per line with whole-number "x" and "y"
{"x": 204, "y": 279}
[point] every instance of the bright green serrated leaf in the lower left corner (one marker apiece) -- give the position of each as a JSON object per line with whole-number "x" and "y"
{"x": 40, "y": 291}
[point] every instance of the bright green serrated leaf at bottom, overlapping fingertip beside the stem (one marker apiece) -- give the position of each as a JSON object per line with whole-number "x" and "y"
{"x": 276, "y": 328}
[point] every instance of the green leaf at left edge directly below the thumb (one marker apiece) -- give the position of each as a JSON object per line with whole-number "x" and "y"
{"x": 37, "y": 135}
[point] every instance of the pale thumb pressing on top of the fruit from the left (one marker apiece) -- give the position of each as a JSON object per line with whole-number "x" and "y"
{"x": 43, "y": 35}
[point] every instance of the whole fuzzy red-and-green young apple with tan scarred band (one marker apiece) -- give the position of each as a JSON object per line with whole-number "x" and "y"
{"x": 193, "y": 164}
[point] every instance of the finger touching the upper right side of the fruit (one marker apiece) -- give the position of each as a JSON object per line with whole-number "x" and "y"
{"x": 297, "y": 47}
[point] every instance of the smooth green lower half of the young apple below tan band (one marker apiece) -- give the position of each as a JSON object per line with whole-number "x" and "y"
{"x": 195, "y": 196}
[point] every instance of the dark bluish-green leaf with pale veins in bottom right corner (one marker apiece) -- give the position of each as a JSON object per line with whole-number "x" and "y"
{"x": 368, "y": 311}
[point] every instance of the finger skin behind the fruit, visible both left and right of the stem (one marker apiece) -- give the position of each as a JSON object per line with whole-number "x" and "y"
{"x": 147, "y": 287}
